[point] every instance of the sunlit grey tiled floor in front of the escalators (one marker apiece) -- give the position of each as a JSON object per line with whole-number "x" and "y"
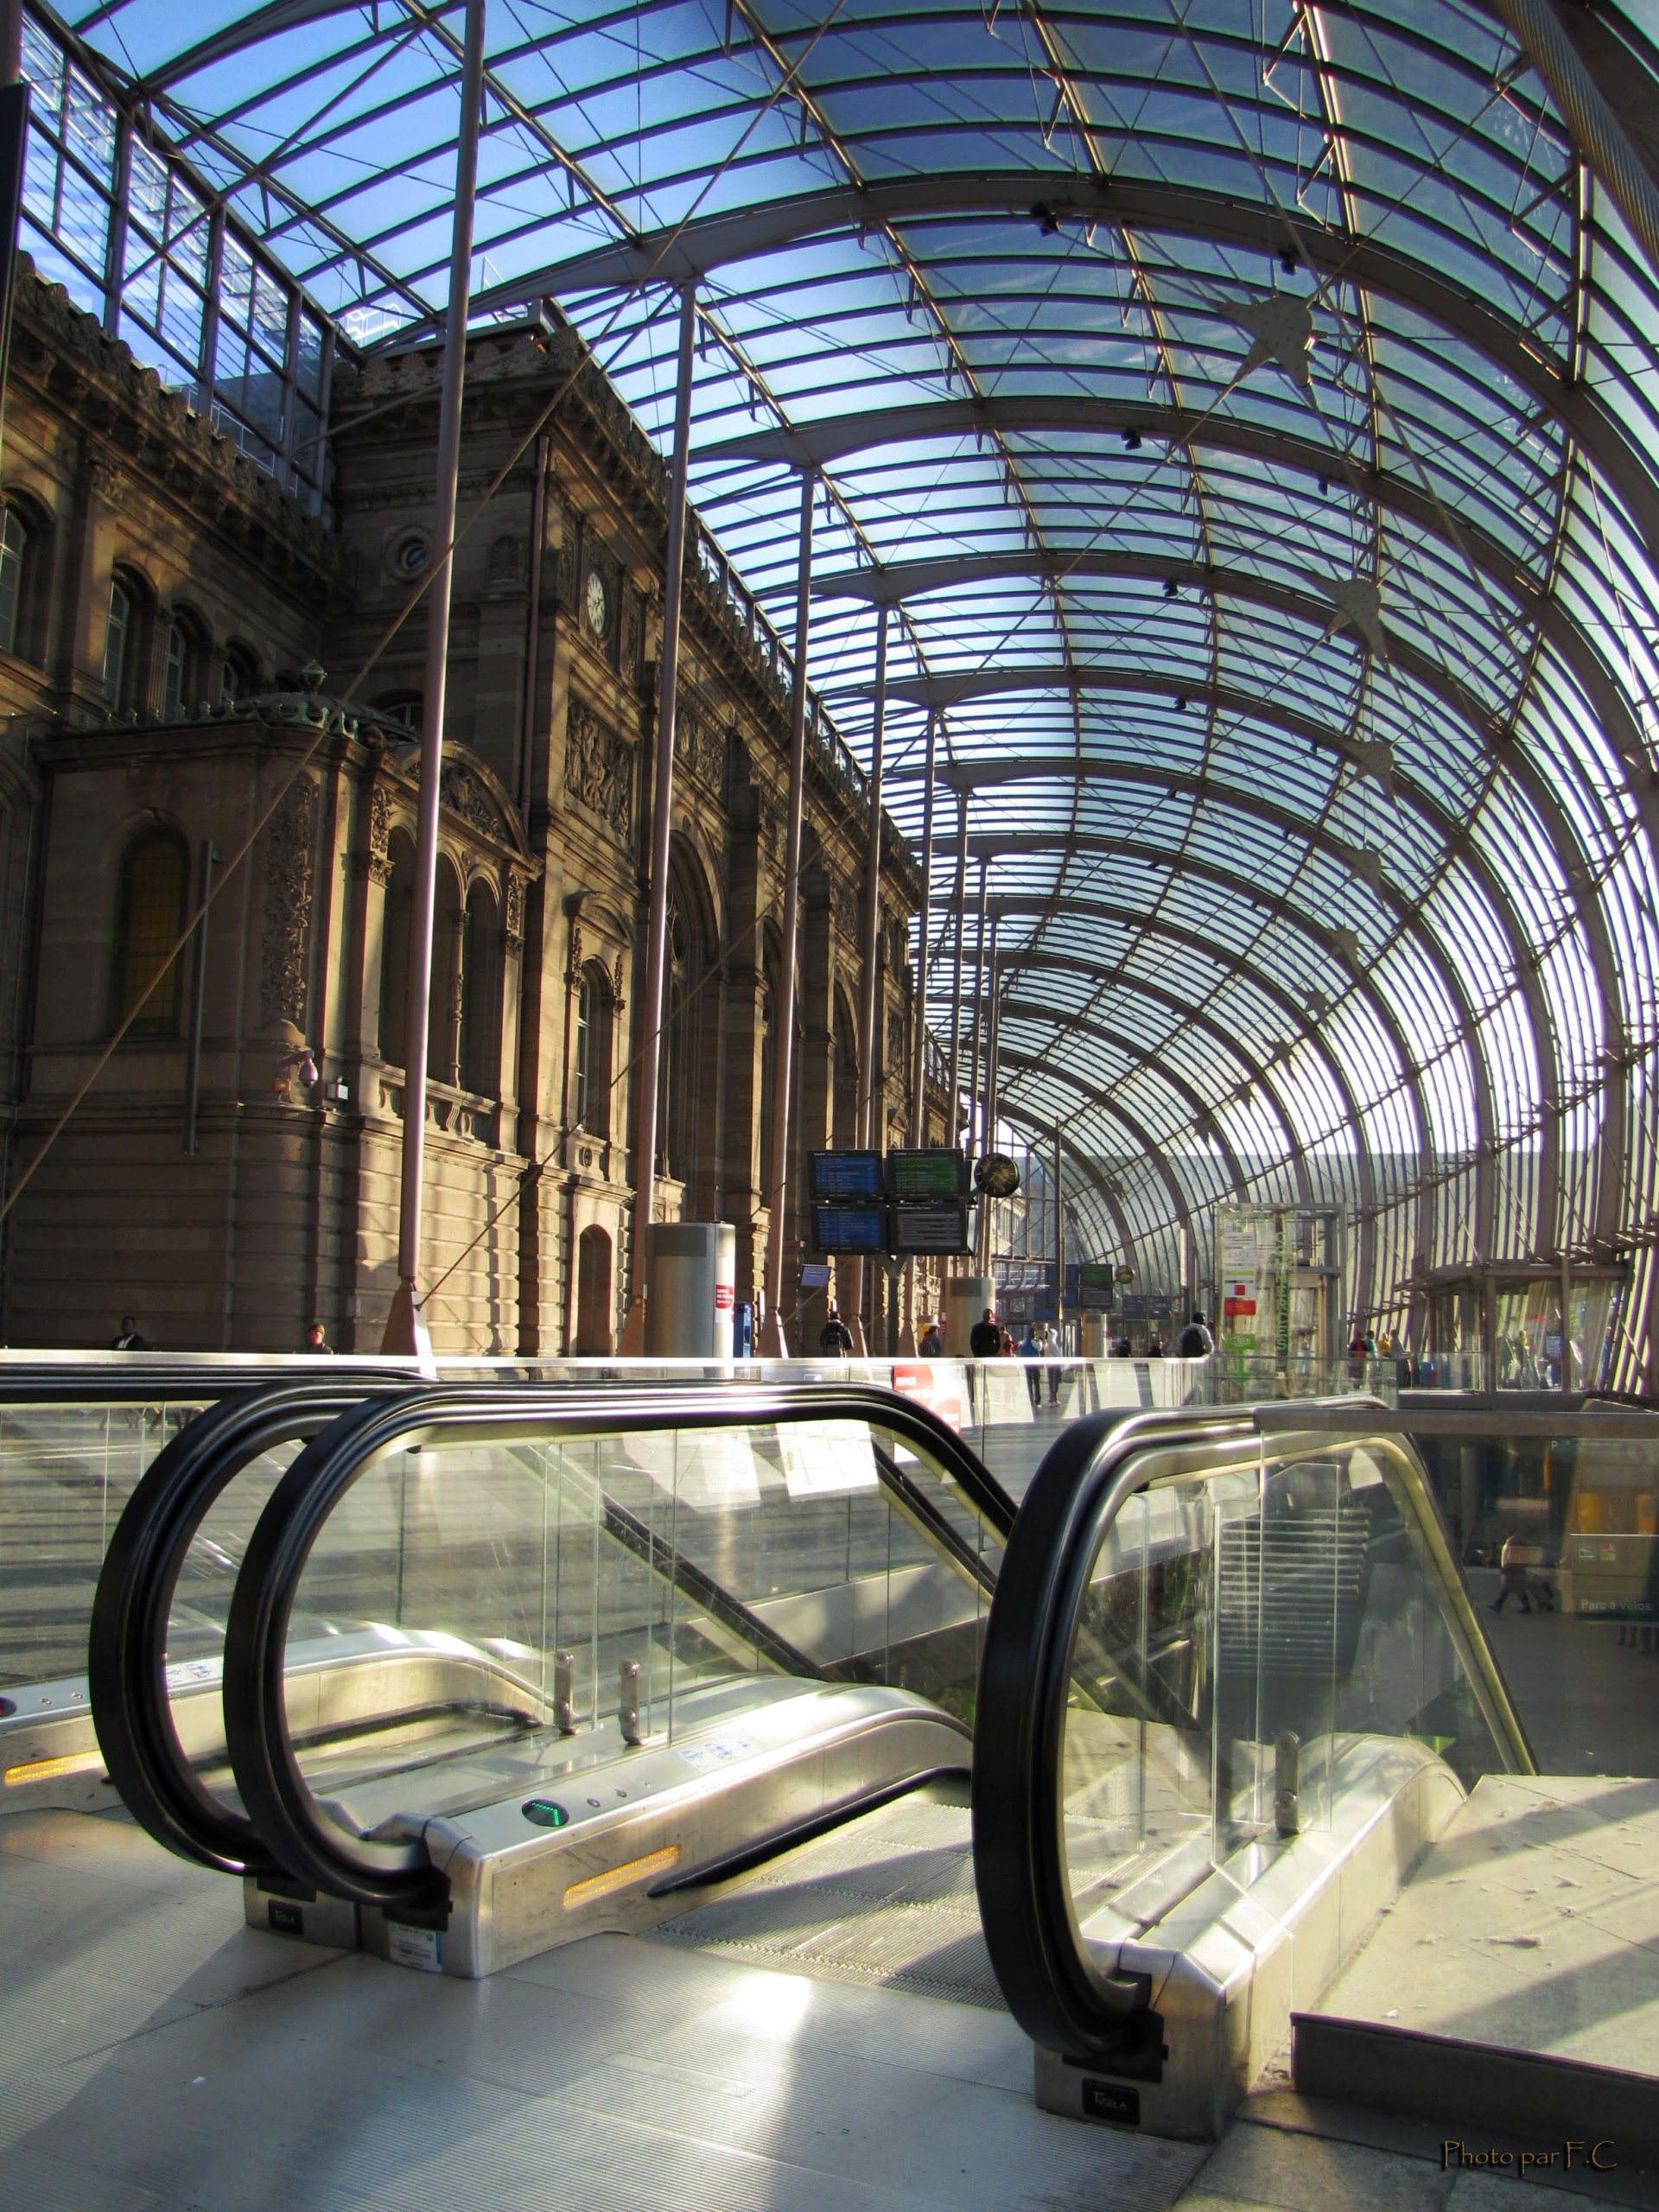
{"x": 156, "y": 2056}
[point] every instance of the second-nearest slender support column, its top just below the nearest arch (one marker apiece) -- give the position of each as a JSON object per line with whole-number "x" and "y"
{"x": 645, "y": 1187}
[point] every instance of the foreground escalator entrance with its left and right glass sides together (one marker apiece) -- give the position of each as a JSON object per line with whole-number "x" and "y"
{"x": 778, "y": 1673}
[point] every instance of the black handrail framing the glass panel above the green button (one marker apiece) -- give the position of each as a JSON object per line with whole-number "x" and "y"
{"x": 306, "y": 1837}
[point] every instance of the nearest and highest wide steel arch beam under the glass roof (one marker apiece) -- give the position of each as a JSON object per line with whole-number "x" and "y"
{"x": 691, "y": 251}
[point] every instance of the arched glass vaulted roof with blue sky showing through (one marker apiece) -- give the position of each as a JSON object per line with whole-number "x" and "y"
{"x": 1240, "y": 413}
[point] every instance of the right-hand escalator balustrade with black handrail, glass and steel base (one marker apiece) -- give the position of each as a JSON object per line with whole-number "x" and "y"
{"x": 1233, "y": 1689}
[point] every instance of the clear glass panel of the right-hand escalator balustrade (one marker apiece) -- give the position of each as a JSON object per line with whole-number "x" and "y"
{"x": 1253, "y": 1636}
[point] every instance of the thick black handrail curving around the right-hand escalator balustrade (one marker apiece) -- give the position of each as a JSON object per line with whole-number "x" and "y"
{"x": 1054, "y": 1990}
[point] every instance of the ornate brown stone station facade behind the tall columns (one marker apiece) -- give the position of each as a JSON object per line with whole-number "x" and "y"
{"x": 209, "y": 687}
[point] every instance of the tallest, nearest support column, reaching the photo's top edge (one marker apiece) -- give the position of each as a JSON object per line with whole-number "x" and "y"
{"x": 408, "y": 1324}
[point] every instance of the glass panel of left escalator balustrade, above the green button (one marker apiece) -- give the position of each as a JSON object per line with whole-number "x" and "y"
{"x": 563, "y": 1596}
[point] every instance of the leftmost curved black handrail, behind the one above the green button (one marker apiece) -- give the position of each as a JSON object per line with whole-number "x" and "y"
{"x": 129, "y": 1631}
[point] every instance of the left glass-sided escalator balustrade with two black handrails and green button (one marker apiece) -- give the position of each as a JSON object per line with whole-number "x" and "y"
{"x": 508, "y": 1667}
